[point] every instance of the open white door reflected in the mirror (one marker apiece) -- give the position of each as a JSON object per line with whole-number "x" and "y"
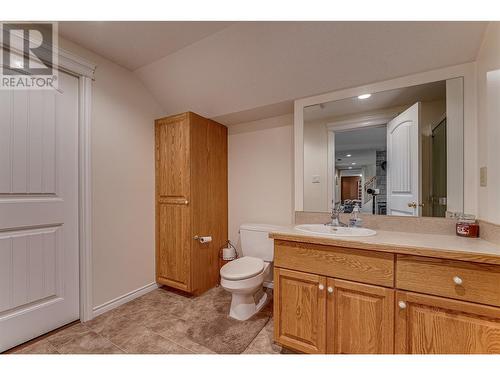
{"x": 403, "y": 165}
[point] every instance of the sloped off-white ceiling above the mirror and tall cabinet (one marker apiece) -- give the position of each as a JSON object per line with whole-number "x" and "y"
{"x": 231, "y": 73}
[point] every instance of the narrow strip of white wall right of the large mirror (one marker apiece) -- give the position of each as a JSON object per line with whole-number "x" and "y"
{"x": 488, "y": 100}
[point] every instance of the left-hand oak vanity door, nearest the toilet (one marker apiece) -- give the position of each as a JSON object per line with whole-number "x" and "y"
{"x": 299, "y": 310}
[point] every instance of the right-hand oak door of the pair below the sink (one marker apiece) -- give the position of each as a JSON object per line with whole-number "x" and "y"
{"x": 360, "y": 318}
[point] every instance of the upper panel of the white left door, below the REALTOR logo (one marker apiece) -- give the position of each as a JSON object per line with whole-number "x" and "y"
{"x": 27, "y": 150}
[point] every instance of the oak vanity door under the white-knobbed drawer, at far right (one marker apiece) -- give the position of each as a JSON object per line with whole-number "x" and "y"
{"x": 435, "y": 325}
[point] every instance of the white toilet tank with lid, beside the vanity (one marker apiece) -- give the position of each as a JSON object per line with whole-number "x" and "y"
{"x": 255, "y": 241}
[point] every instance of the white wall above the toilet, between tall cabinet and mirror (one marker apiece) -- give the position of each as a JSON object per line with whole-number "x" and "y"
{"x": 260, "y": 173}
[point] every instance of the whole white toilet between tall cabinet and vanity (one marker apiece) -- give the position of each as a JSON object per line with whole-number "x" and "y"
{"x": 245, "y": 276}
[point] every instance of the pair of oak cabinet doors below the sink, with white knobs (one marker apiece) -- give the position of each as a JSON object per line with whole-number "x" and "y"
{"x": 317, "y": 315}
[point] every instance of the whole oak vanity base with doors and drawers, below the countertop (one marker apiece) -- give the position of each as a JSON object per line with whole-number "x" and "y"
{"x": 330, "y": 299}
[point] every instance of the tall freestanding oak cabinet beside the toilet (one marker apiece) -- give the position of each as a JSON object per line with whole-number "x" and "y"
{"x": 191, "y": 200}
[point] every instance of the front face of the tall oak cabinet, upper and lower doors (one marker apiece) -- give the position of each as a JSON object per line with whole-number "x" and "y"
{"x": 173, "y": 224}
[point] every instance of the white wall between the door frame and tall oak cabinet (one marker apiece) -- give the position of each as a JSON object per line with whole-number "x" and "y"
{"x": 122, "y": 179}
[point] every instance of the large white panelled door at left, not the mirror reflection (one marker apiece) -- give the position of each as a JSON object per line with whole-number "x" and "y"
{"x": 39, "y": 277}
